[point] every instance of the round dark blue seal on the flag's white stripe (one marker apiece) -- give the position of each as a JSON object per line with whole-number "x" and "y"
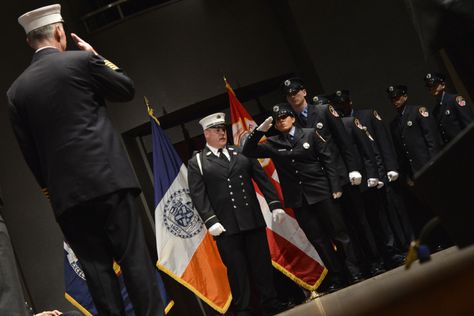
{"x": 179, "y": 216}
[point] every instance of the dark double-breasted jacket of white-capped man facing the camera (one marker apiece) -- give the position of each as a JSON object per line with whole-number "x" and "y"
{"x": 224, "y": 192}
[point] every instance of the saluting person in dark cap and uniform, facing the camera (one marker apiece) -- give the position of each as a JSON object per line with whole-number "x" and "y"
{"x": 310, "y": 185}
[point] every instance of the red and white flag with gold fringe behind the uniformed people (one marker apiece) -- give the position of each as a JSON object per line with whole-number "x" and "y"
{"x": 291, "y": 251}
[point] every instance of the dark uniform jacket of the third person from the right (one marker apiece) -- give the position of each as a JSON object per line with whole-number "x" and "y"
{"x": 383, "y": 149}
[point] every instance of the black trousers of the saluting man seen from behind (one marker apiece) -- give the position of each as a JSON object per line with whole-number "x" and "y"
{"x": 105, "y": 229}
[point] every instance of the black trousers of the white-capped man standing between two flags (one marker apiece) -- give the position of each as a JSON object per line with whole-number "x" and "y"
{"x": 241, "y": 252}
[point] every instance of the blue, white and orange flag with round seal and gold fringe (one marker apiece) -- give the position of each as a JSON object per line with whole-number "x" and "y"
{"x": 186, "y": 252}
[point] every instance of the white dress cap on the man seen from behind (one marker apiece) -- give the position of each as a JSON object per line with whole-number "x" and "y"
{"x": 40, "y": 17}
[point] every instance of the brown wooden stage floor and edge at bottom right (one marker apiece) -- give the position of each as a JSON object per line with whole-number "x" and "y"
{"x": 443, "y": 286}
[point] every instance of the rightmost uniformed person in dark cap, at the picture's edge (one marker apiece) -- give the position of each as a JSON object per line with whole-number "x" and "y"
{"x": 451, "y": 111}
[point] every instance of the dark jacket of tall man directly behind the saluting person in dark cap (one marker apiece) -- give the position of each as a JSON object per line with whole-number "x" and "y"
{"x": 328, "y": 124}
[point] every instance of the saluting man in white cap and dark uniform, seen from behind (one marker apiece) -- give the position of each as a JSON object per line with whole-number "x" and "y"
{"x": 58, "y": 113}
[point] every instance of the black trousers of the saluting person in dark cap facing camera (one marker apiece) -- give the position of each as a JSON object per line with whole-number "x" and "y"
{"x": 322, "y": 223}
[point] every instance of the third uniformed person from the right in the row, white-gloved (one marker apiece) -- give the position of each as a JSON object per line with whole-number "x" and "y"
{"x": 387, "y": 195}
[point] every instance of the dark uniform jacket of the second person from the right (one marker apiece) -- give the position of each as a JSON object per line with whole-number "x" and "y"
{"x": 415, "y": 137}
